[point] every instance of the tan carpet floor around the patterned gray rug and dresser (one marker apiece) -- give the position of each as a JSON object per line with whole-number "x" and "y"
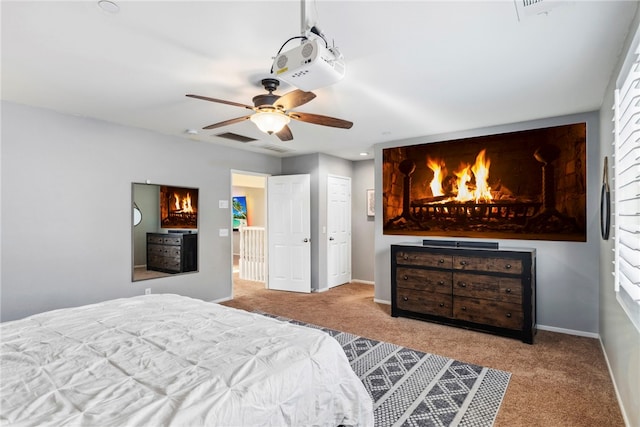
{"x": 561, "y": 380}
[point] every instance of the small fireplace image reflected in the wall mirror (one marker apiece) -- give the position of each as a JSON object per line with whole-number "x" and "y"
{"x": 178, "y": 207}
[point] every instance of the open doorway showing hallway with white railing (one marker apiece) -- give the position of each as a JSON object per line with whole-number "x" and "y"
{"x": 249, "y": 222}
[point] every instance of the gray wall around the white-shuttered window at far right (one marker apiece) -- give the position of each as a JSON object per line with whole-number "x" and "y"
{"x": 620, "y": 339}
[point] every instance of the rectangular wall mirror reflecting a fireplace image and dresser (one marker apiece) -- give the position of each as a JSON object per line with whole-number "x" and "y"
{"x": 164, "y": 230}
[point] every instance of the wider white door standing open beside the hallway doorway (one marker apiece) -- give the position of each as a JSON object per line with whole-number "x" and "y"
{"x": 289, "y": 231}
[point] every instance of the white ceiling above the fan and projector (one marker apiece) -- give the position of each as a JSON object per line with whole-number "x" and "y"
{"x": 413, "y": 68}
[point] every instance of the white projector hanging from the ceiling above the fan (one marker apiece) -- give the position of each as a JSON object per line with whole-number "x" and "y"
{"x": 309, "y": 66}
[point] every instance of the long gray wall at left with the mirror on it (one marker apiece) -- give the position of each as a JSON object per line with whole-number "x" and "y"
{"x": 66, "y": 208}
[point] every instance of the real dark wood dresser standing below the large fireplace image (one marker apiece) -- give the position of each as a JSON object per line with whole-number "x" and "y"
{"x": 491, "y": 290}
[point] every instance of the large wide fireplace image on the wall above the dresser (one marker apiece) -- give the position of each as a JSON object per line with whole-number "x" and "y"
{"x": 519, "y": 185}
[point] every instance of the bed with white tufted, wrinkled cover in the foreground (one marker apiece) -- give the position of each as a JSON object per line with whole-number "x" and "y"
{"x": 160, "y": 360}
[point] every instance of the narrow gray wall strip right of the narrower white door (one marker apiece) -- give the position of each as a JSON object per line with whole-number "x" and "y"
{"x": 362, "y": 229}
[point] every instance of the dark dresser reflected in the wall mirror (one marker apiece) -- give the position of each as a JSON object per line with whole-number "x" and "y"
{"x": 172, "y": 252}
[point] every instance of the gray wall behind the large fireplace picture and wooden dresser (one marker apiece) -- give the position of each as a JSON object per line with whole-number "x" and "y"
{"x": 567, "y": 272}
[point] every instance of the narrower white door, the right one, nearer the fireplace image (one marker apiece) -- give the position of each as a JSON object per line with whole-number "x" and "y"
{"x": 338, "y": 230}
